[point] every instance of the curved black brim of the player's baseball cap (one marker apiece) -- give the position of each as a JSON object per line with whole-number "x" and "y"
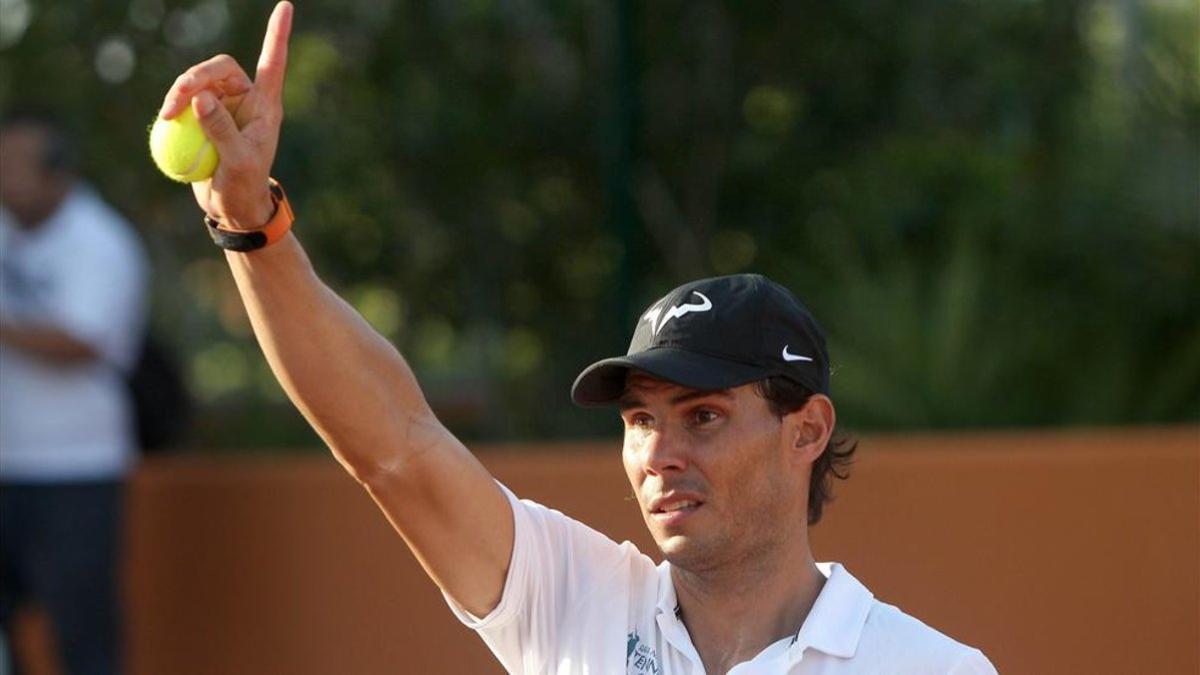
{"x": 604, "y": 383}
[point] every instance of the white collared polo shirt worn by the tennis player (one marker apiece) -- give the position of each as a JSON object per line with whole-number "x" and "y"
{"x": 577, "y": 602}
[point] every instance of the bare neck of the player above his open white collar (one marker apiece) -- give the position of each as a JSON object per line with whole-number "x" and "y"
{"x": 735, "y": 614}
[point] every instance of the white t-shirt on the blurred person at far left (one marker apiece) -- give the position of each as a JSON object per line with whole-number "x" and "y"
{"x": 83, "y": 271}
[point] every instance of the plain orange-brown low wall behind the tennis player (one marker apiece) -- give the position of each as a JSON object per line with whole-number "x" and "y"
{"x": 1054, "y": 552}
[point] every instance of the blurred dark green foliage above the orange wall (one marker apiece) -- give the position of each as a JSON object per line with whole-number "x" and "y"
{"x": 994, "y": 207}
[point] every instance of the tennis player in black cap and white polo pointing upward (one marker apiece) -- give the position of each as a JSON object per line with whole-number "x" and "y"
{"x": 729, "y": 449}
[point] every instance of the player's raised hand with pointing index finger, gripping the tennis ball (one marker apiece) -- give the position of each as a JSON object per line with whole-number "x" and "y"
{"x": 243, "y": 120}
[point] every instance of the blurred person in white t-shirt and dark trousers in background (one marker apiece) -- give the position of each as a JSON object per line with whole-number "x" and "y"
{"x": 73, "y": 291}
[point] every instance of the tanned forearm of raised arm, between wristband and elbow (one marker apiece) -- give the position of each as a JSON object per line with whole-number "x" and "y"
{"x": 347, "y": 380}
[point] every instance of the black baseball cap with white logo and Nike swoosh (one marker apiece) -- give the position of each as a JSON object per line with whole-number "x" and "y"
{"x": 715, "y": 334}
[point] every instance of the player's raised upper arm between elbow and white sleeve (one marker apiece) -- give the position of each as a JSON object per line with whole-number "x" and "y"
{"x": 452, "y": 513}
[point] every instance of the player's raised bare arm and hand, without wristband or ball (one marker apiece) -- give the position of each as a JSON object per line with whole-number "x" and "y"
{"x": 351, "y": 385}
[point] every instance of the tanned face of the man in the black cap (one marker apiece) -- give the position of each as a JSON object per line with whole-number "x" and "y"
{"x": 712, "y": 473}
